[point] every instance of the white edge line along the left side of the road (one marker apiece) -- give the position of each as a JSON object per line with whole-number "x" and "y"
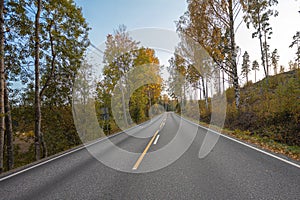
{"x": 64, "y": 154}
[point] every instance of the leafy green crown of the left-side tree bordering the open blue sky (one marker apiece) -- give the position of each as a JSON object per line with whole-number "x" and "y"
{"x": 60, "y": 62}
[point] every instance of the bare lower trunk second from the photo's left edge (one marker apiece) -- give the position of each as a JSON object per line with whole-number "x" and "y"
{"x": 8, "y": 131}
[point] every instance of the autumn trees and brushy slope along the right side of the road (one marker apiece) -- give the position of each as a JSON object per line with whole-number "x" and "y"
{"x": 206, "y": 64}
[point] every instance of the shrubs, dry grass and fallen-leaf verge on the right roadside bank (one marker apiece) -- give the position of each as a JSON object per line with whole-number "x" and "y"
{"x": 269, "y": 115}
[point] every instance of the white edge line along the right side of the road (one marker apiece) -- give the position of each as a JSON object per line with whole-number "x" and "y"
{"x": 247, "y": 145}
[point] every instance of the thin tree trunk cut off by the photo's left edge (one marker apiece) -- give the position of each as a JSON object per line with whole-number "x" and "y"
{"x": 2, "y": 110}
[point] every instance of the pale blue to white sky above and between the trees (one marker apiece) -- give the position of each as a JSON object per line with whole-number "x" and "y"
{"x": 104, "y": 16}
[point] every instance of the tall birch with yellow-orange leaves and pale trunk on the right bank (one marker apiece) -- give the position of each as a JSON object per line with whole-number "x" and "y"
{"x": 212, "y": 25}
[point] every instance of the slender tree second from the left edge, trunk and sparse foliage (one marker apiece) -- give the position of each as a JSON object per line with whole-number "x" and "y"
{"x": 16, "y": 54}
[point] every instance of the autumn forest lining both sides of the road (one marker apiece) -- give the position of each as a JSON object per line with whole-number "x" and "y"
{"x": 44, "y": 50}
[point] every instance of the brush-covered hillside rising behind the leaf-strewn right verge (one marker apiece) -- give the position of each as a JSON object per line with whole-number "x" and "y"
{"x": 269, "y": 108}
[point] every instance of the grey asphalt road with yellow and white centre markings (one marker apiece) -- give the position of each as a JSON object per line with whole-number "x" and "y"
{"x": 137, "y": 165}
